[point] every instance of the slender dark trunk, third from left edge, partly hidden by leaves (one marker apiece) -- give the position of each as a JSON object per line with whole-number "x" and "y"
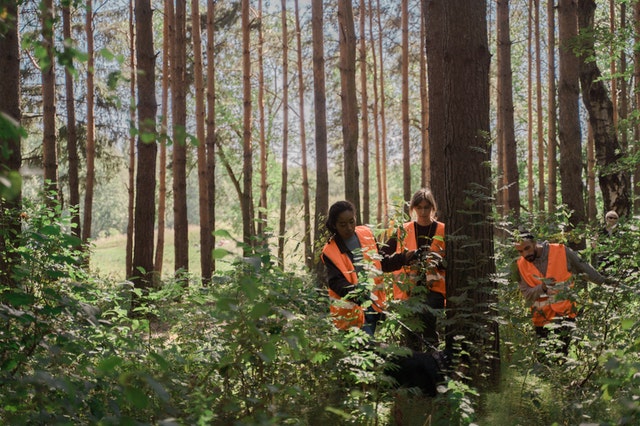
{"x": 72, "y": 133}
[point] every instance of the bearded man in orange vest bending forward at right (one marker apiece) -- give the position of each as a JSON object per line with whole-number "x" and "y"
{"x": 544, "y": 272}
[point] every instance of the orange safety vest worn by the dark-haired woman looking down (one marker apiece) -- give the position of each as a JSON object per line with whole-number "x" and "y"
{"x": 345, "y": 313}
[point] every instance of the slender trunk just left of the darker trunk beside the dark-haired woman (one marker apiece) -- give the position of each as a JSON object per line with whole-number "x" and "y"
{"x": 303, "y": 146}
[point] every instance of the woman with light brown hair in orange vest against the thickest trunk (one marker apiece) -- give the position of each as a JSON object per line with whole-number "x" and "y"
{"x": 425, "y": 279}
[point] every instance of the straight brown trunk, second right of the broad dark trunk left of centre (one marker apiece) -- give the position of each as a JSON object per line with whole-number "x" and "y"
{"x": 179, "y": 113}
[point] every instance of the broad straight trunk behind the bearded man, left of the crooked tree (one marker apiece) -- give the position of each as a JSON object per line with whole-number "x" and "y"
{"x": 572, "y": 187}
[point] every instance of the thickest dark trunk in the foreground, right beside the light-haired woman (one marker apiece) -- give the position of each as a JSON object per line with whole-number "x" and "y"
{"x": 458, "y": 57}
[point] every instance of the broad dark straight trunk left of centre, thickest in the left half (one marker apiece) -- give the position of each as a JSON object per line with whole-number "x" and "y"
{"x": 145, "y": 208}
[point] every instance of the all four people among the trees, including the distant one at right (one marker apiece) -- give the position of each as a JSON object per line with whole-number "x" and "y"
{"x": 355, "y": 262}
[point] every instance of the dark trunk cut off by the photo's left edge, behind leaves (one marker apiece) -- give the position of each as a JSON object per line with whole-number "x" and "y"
{"x": 10, "y": 145}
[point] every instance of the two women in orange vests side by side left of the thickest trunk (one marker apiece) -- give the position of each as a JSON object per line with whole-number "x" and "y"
{"x": 355, "y": 262}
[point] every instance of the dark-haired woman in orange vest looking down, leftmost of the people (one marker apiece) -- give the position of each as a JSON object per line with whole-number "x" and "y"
{"x": 354, "y": 267}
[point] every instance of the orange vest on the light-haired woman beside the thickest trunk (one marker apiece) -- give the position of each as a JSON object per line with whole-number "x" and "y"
{"x": 405, "y": 276}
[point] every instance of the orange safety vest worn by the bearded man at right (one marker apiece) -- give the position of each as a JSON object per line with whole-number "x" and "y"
{"x": 546, "y": 307}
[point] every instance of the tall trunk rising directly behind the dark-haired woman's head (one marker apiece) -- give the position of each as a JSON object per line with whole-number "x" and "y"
{"x": 348, "y": 99}
